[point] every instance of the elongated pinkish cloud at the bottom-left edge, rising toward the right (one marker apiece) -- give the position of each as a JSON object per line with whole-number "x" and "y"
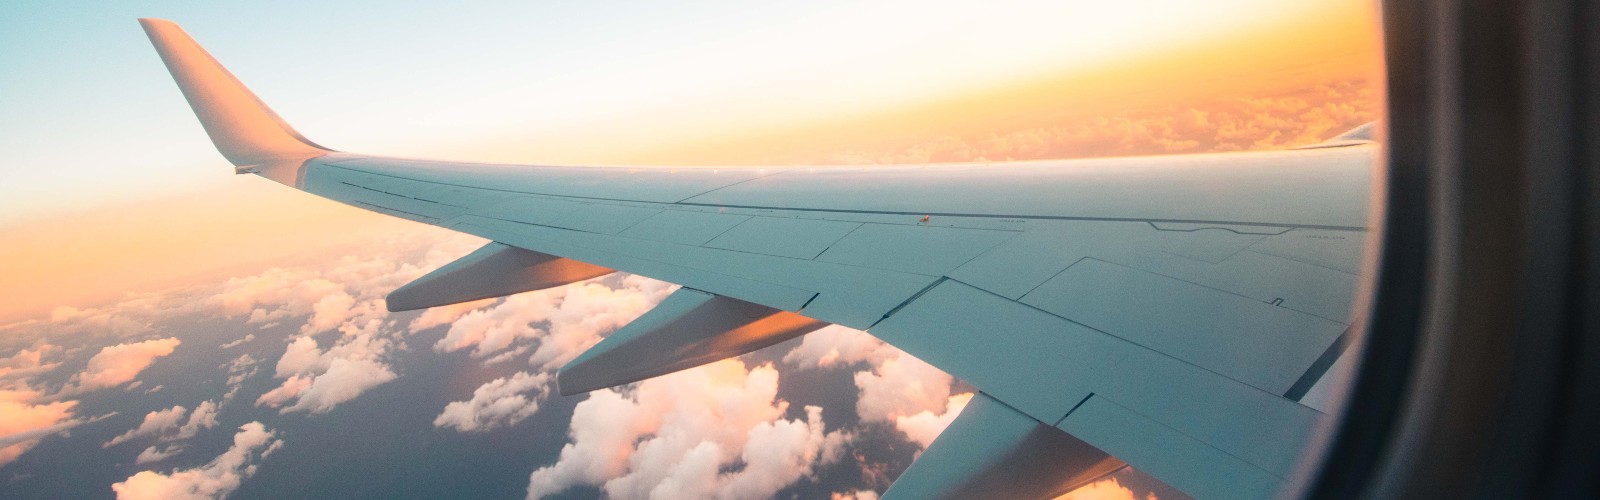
{"x": 215, "y": 480}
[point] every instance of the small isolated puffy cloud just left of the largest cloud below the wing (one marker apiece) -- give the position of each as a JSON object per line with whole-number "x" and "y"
{"x": 495, "y": 405}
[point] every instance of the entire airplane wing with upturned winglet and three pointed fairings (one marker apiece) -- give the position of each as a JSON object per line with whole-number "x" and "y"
{"x": 1175, "y": 313}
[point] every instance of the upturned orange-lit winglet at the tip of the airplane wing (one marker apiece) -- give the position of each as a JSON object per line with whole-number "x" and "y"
{"x": 246, "y": 131}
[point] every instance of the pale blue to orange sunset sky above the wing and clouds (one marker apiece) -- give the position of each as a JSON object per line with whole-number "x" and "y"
{"x": 111, "y": 185}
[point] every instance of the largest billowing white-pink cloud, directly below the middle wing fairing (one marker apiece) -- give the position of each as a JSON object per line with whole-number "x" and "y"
{"x": 714, "y": 432}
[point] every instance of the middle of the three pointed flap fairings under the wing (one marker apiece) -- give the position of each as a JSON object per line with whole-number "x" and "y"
{"x": 689, "y": 329}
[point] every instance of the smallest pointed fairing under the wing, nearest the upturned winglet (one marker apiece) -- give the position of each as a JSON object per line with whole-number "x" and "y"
{"x": 497, "y": 270}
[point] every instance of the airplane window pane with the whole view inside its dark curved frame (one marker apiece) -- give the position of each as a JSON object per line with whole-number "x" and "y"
{"x": 823, "y": 251}
